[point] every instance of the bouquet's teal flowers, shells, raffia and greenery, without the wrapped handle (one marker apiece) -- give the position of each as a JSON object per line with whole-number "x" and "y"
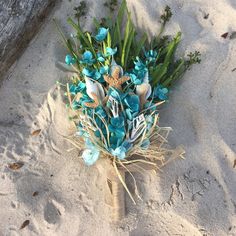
{"x": 121, "y": 77}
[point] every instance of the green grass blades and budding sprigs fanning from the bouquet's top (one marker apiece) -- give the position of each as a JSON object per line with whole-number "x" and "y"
{"x": 165, "y": 70}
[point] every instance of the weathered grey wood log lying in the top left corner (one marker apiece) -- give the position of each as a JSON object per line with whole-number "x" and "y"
{"x": 19, "y": 22}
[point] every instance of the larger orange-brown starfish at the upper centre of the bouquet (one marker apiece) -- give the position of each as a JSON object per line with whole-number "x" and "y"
{"x": 115, "y": 80}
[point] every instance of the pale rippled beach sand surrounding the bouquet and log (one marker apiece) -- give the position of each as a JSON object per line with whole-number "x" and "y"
{"x": 53, "y": 193}
